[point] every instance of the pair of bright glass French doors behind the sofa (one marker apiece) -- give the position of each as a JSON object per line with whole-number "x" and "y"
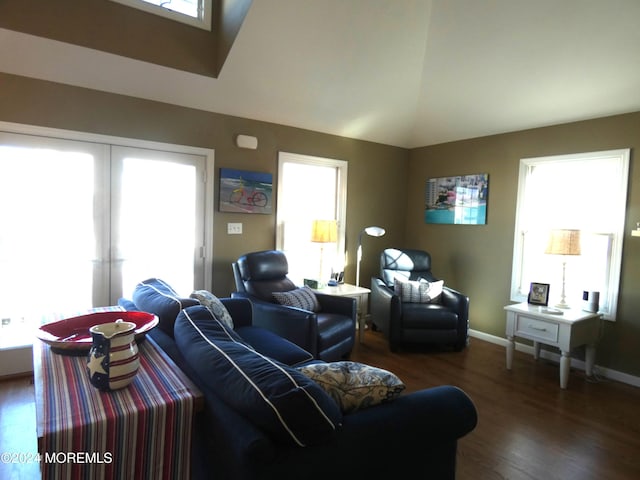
{"x": 83, "y": 222}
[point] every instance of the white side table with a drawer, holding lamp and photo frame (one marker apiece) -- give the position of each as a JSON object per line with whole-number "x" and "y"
{"x": 571, "y": 329}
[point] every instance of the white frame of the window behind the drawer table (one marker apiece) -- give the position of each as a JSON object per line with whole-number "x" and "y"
{"x": 519, "y": 291}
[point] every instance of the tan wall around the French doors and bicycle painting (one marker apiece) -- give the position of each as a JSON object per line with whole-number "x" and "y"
{"x": 377, "y": 173}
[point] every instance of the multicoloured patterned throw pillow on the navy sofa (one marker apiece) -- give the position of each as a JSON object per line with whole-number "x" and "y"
{"x": 353, "y": 385}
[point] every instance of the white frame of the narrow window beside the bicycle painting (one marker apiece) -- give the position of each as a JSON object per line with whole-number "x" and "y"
{"x": 341, "y": 200}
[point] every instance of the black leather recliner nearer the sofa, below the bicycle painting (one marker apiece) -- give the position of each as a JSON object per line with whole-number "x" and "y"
{"x": 329, "y": 333}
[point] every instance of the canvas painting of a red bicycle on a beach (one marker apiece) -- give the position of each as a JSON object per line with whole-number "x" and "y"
{"x": 243, "y": 191}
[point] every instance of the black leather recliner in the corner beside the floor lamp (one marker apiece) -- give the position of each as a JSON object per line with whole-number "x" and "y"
{"x": 444, "y": 323}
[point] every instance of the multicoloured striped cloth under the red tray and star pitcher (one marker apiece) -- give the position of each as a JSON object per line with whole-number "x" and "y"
{"x": 138, "y": 432}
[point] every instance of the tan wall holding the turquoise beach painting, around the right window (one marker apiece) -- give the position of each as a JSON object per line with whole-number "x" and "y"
{"x": 477, "y": 259}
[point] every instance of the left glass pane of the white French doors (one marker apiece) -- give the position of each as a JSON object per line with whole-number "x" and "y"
{"x": 47, "y": 236}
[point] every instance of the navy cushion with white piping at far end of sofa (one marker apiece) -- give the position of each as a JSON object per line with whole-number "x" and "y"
{"x": 157, "y": 297}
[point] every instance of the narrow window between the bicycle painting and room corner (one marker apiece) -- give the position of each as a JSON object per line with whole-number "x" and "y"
{"x": 310, "y": 188}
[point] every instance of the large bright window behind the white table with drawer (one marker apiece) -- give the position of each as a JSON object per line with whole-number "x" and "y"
{"x": 587, "y": 192}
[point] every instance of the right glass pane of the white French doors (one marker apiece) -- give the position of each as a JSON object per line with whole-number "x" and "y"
{"x": 157, "y": 228}
